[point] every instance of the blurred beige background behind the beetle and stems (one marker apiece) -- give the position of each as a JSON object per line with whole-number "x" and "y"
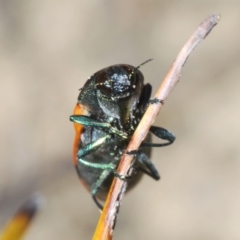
{"x": 47, "y": 51}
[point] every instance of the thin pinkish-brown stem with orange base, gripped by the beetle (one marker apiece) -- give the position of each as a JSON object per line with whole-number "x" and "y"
{"x": 108, "y": 217}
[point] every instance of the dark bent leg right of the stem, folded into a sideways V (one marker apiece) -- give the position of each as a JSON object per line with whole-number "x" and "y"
{"x": 160, "y": 133}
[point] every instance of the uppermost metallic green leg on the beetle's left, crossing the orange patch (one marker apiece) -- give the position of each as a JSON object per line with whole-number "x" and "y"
{"x": 90, "y": 122}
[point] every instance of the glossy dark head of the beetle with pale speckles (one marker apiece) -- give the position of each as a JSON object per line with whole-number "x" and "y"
{"x": 116, "y": 81}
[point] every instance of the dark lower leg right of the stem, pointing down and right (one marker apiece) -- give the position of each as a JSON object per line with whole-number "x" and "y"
{"x": 148, "y": 167}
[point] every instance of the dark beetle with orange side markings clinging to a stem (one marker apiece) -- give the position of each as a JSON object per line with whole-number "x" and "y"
{"x": 109, "y": 107}
